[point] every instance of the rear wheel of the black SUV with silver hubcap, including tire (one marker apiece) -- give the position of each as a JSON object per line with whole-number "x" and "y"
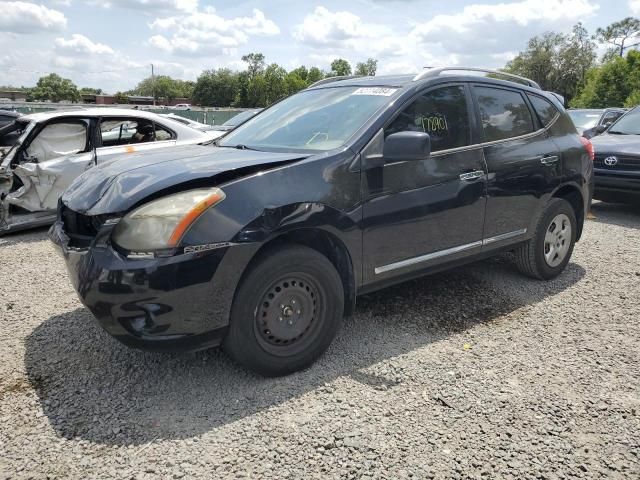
{"x": 546, "y": 255}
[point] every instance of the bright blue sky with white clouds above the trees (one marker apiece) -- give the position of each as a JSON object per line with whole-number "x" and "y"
{"x": 111, "y": 44}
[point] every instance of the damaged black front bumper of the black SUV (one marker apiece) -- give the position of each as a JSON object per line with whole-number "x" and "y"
{"x": 180, "y": 302}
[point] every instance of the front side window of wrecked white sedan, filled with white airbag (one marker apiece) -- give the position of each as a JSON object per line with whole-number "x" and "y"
{"x": 59, "y": 139}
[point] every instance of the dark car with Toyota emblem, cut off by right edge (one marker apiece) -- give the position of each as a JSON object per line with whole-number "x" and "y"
{"x": 617, "y": 160}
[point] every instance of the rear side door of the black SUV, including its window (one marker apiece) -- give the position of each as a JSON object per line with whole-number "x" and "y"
{"x": 524, "y": 164}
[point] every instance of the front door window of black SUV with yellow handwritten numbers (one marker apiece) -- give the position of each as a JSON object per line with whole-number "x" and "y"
{"x": 442, "y": 113}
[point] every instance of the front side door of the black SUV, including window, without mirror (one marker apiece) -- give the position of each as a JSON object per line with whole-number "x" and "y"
{"x": 422, "y": 213}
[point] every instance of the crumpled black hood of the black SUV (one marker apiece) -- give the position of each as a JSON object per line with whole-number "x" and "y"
{"x": 119, "y": 185}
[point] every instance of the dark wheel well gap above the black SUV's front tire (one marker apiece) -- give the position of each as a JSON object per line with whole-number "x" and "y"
{"x": 329, "y": 246}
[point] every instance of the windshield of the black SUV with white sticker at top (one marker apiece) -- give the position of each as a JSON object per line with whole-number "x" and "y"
{"x": 318, "y": 120}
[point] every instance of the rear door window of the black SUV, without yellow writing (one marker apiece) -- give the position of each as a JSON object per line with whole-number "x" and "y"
{"x": 504, "y": 113}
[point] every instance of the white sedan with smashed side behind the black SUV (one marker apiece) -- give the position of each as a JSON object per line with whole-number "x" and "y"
{"x": 47, "y": 151}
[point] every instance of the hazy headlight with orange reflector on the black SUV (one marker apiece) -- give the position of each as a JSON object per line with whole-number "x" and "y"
{"x": 162, "y": 223}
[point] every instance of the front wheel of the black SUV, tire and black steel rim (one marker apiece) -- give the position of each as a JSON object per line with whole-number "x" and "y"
{"x": 286, "y": 312}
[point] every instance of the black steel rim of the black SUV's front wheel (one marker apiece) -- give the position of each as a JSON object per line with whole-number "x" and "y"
{"x": 289, "y": 314}
